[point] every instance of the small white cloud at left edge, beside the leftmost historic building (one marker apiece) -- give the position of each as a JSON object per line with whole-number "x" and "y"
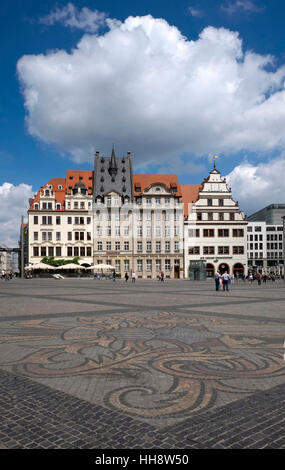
{"x": 14, "y": 204}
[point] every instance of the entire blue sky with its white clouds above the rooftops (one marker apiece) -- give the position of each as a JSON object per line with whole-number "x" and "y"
{"x": 34, "y": 148}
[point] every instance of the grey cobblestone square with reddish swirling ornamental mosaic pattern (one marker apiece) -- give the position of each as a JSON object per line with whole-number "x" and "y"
{"x": 174, "y": 365}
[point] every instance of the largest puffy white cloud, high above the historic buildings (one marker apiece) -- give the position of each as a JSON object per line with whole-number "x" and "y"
{"x": 145, "y": 87}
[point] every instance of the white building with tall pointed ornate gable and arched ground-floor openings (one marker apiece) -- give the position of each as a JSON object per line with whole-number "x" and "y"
{"x": 215, "y": 230}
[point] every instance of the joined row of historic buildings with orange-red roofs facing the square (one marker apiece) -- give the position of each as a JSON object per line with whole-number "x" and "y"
{"x": 143, "y": 223}
